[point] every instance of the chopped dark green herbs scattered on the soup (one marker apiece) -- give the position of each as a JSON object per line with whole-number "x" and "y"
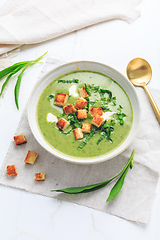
{"x": 107, "y": 127}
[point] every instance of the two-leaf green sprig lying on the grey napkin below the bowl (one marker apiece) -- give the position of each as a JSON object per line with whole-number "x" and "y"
{"x": 114, "y": 191}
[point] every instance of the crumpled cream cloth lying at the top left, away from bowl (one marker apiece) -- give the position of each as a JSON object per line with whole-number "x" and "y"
{"x": 35, "y": 21}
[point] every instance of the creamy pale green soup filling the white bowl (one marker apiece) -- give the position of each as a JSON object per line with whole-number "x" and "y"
{"x": 113, "y": 101}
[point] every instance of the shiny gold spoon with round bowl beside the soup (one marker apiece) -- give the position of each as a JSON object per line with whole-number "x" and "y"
{"x": 139, "y": 73}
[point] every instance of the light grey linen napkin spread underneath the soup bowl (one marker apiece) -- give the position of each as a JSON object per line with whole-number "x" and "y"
{"x": 135, "y": 200}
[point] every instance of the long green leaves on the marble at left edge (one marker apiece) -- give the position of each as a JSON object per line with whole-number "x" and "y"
{"x": 13, "y": 70}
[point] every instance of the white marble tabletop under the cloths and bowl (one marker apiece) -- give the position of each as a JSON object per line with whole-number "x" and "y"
{"x": 26, "y": 216}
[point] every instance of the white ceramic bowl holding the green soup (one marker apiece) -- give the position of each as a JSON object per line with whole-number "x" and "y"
{"x": 92, "y": 66}
